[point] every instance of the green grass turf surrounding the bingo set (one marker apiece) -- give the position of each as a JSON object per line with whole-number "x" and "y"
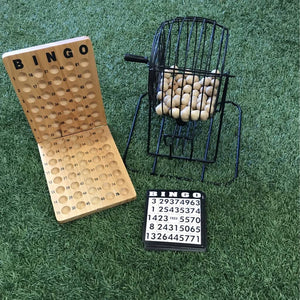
{"x": 253, "y": 224}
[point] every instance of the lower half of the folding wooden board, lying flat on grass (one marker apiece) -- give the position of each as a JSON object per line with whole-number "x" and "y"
{"x": 85, "y": 173}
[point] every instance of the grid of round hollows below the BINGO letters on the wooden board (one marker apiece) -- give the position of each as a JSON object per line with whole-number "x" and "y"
{"x": 60, "y": 100}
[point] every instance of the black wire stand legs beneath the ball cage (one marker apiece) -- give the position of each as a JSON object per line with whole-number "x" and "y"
{"x": 176, "y": 136}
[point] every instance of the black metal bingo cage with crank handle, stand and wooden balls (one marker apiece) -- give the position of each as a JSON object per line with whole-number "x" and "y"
{"x": 187, "y": 88}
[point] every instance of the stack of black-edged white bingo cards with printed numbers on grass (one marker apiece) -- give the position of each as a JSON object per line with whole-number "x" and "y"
{"x": 175, "y": 220}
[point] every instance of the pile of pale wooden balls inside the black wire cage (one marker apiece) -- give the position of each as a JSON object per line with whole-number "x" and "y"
{"x": 186, "y": 96}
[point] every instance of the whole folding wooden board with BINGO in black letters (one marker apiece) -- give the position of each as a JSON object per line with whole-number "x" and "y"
{"x": 58, "y": 87}
